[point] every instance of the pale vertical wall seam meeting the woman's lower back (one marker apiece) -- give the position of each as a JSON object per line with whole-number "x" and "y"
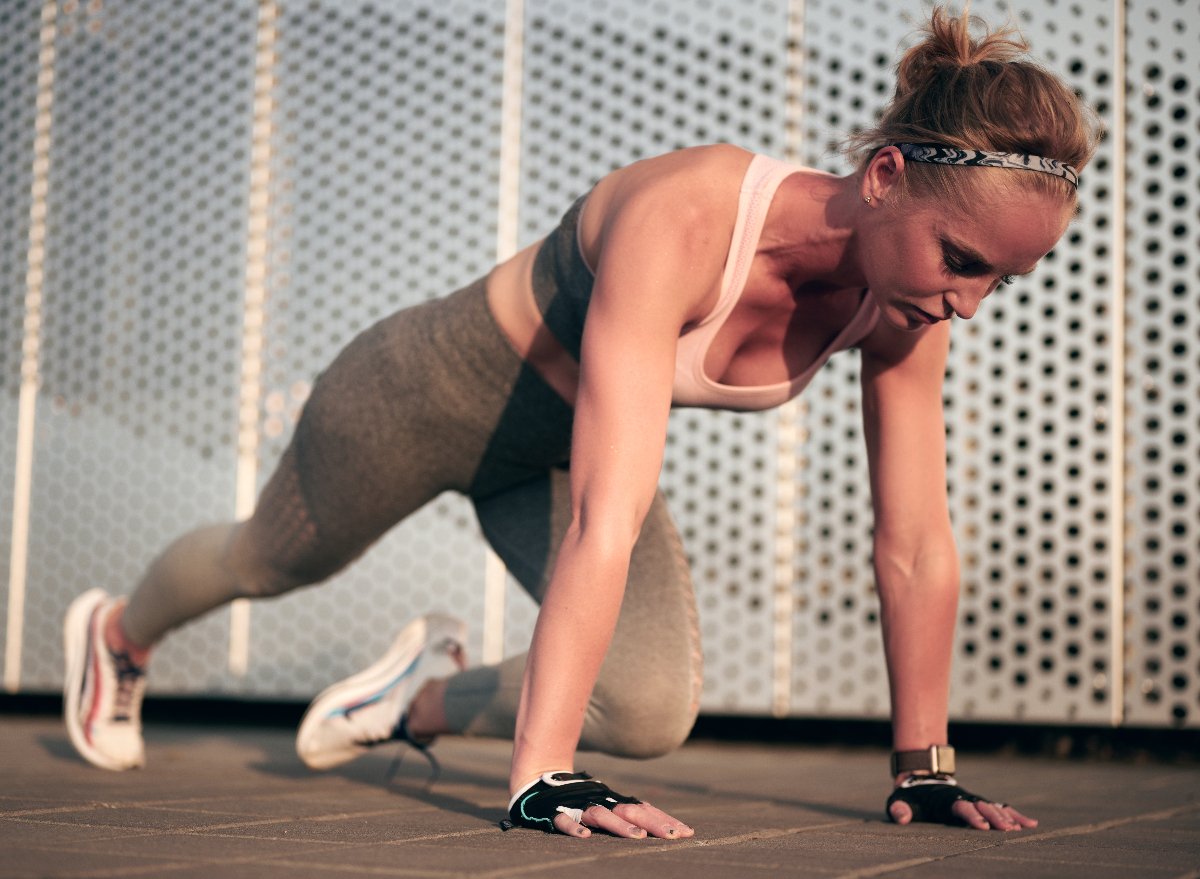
{"x": 507, "y": 218}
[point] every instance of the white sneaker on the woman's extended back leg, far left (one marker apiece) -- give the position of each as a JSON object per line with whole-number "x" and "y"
{"x": 103, "y": 692}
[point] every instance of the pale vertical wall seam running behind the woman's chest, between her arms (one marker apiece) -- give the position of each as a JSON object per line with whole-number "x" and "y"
{"x": 789, "y": 428}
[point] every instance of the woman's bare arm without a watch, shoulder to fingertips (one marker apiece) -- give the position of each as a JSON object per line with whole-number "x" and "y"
{"x": 658, "y": 264}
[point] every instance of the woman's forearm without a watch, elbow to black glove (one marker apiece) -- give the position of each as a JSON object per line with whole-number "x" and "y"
{"x": 571, "y": 641}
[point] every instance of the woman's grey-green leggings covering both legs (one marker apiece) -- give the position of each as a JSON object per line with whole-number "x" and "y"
{"x": 433, "y": 399}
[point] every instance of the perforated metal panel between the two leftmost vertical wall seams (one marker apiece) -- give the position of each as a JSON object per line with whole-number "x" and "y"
{"x": 145, "y": 246}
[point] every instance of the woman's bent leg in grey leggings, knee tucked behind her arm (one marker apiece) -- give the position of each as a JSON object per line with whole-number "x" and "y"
{"x": 632, "y": 714}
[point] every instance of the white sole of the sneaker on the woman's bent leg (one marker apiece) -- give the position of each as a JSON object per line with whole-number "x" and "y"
{"x": 373, "y": 680}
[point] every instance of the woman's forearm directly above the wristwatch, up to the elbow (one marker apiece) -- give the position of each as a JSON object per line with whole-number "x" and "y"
{"x": 919, "y": 611}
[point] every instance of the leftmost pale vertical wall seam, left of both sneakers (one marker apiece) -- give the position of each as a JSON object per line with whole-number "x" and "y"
{"x": 31, "y": 368}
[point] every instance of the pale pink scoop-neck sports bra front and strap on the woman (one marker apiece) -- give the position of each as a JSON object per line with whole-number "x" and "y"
{"x": 693, "y": 387}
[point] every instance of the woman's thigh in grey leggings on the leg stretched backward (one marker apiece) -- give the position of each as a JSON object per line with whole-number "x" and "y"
{"x": 405, "y": 412}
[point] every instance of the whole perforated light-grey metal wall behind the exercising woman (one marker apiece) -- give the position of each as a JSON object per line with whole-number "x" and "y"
{"x": 382, "y": 148}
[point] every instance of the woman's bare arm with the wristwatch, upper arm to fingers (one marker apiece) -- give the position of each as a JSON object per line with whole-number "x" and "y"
{"x": 916, "y": 560}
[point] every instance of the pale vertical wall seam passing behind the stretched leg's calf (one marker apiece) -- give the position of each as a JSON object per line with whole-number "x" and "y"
{"x": 254, "y": 310}
